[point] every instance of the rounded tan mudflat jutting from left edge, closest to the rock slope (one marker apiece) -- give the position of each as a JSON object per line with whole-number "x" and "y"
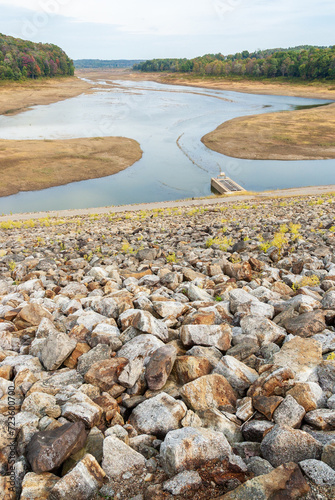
{"x": 33, "y": 165}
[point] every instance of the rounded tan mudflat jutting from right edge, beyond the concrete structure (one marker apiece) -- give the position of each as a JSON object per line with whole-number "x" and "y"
{"x": 291, "y": 135}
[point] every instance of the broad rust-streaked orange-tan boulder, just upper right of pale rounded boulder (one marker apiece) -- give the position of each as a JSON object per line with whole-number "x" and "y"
{"x": 210, "y": 391}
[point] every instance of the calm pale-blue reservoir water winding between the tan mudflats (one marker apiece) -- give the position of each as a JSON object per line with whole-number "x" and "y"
{"x": 168, "y": 122}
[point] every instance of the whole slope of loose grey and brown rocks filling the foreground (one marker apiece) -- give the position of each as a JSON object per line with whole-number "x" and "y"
{"x": 178, "y": 353}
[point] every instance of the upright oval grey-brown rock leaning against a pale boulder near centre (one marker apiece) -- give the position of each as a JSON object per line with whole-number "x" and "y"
{"x": 160, "y": 366}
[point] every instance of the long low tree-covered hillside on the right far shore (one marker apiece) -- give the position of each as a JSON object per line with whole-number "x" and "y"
{"x": 305, "y": 62}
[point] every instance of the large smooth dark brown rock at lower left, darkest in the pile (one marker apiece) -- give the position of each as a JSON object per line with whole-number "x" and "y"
{"x": 47, "y": 450}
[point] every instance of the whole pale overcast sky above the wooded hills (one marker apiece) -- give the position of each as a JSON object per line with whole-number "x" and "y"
{"x": 144, "y": 29}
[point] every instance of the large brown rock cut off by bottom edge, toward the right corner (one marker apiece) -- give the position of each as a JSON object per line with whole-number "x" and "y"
{"x": 285, "y": 482}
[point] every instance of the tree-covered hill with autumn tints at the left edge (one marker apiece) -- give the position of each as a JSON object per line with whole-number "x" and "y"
{"x": 21, "y": 59}
